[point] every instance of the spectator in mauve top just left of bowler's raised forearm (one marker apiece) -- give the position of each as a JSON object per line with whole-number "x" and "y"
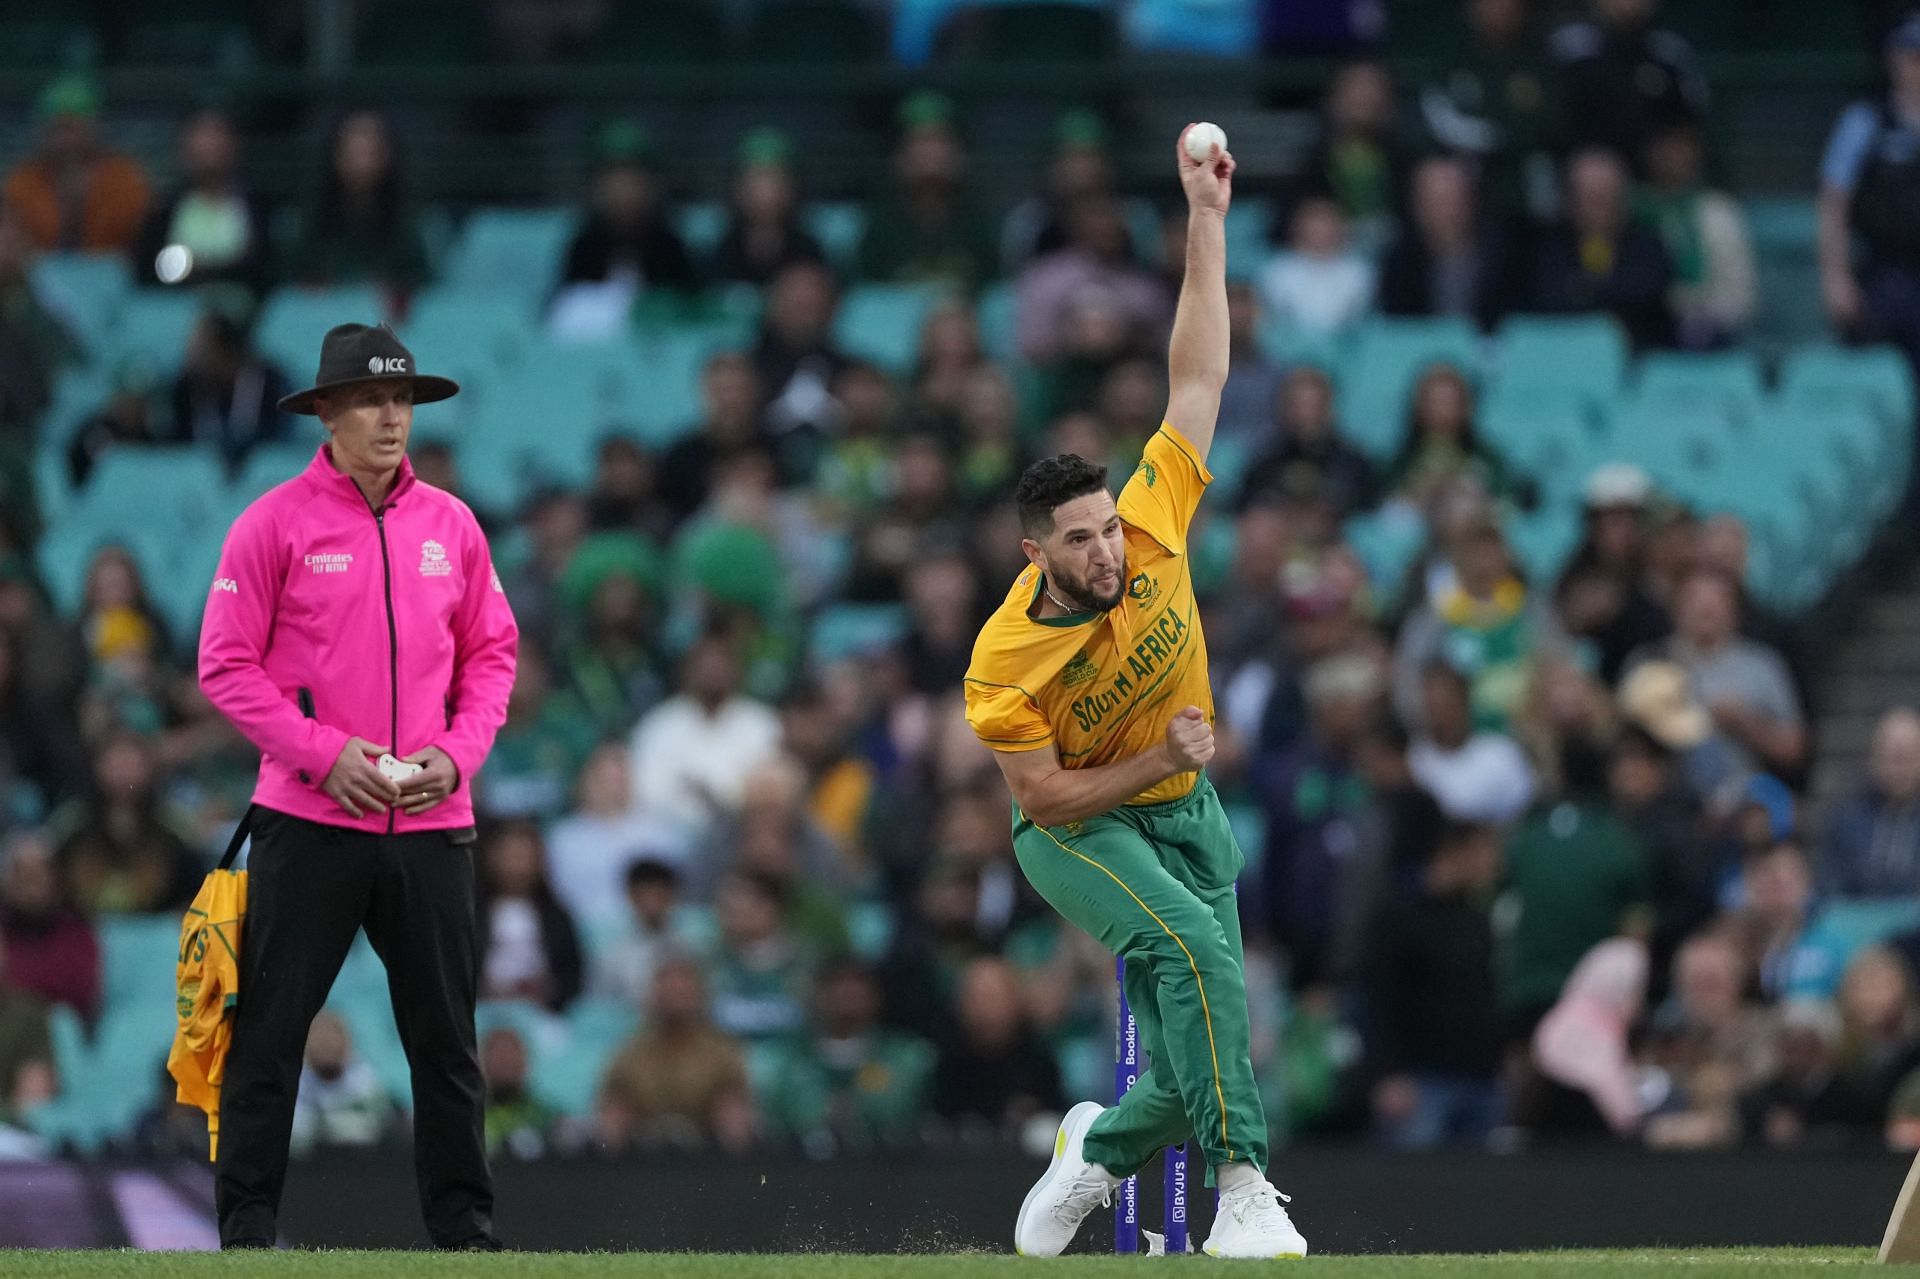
{"x": 1093, "y": 268}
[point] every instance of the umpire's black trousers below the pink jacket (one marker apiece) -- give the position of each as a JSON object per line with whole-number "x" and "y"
{"x": 310, "y": 890}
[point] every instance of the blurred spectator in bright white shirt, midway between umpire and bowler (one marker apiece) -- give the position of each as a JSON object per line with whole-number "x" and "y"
{"x": 694, "y": 752}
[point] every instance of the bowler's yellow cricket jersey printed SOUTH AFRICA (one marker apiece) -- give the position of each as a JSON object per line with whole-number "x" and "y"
{"x": 1103, "y": 687}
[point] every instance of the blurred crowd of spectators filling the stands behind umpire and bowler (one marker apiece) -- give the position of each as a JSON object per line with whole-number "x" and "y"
{"x": 1525, "y": 854}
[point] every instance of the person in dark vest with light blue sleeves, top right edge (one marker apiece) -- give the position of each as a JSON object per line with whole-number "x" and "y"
{"x": 1871, "y": 197}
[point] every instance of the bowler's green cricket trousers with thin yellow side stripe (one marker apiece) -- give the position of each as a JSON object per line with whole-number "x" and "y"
{"x": 1155, "y": 886}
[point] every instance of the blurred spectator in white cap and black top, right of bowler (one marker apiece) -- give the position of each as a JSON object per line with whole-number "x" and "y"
{"x": 1602, "y": 594}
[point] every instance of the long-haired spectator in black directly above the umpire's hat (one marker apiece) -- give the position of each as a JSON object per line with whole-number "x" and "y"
{"x": 362, "y": 228}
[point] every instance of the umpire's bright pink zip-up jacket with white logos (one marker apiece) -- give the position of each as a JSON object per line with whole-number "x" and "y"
{"x": 329, "y": 621}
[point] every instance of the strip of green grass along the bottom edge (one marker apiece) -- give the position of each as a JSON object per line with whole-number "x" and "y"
{"x": 1696, "y": 1265}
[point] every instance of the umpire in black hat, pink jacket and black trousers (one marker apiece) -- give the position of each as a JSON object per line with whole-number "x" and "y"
{"x": 358, "y": 614}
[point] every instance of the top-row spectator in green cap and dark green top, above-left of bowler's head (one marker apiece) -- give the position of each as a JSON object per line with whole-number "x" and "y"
{"x": 928, "y": 228}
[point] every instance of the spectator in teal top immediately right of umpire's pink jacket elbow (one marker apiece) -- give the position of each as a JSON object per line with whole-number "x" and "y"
{"x": 539, "y": 750}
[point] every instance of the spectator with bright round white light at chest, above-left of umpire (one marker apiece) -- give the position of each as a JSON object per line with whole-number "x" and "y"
{"x": 210, "y": 229}
